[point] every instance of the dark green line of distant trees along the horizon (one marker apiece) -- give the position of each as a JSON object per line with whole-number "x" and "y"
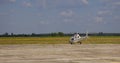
{"x": 56, "y": 34}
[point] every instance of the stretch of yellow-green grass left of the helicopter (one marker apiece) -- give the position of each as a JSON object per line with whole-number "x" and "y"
{"x": 34, "y": 40}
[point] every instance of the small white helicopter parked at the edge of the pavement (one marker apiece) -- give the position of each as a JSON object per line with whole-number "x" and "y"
{"x": 77, "y": 38}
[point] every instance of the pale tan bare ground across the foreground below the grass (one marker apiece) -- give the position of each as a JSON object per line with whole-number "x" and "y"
{"x": 60, "y": 53}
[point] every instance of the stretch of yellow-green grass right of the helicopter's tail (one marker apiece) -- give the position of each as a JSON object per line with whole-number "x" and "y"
{"x": 103, "y": 40}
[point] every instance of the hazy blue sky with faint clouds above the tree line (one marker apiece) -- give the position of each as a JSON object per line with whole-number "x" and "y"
{"x": 46, "y": 16}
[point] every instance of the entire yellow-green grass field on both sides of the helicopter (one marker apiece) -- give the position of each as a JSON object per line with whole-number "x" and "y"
{"x": 59, "y": 40}
